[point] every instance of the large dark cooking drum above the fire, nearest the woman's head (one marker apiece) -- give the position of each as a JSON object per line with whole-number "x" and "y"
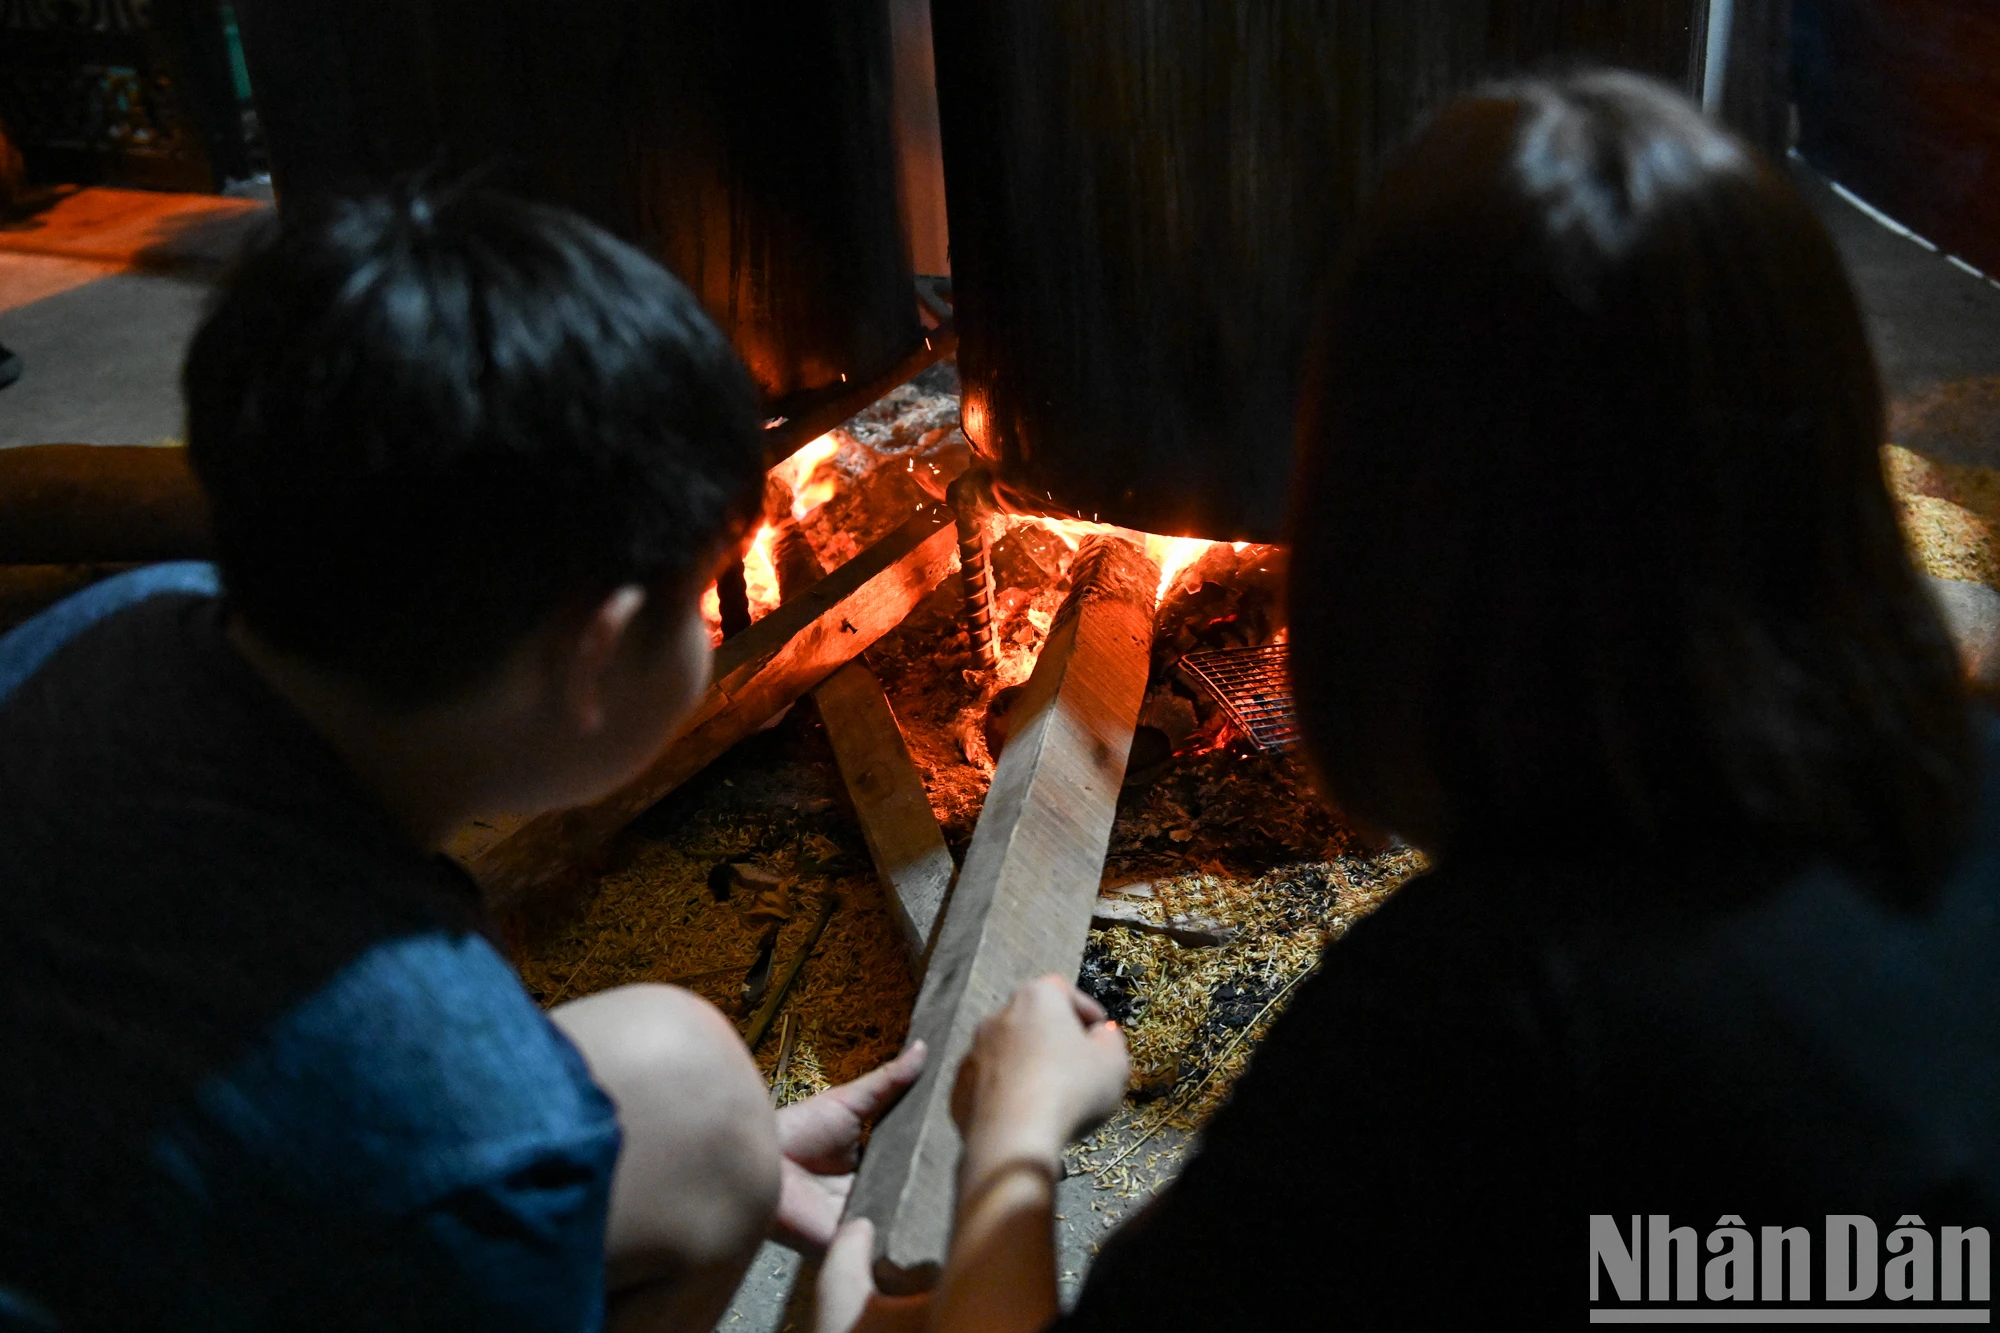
{"x": 1145, "y": 199}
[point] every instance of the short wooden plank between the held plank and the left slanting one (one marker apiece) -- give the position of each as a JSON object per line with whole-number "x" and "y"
{"x": 891, "y": 802}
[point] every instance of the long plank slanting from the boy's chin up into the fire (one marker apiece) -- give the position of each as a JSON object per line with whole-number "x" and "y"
{"x": 757, "y": 674}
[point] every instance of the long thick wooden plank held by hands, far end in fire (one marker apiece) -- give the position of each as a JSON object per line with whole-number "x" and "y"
{"x": 1027, "y": 892}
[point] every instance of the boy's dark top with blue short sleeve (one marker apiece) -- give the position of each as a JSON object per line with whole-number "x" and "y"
{"x": 263, "y": 1064}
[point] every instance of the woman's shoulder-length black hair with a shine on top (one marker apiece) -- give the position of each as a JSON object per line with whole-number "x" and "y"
{"x": 1591, "y": 531}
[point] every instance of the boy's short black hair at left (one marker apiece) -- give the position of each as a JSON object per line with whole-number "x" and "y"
{"x": 429, "y": 419}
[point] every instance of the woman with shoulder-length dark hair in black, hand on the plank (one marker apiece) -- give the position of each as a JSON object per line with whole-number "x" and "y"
{"x": 1597, "y": 595}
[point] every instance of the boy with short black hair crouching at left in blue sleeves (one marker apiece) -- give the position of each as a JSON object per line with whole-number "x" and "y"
{"x": 471, "y": 463}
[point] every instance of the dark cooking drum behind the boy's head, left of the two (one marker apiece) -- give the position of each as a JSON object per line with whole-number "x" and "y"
{"x": 751, "y": 151}
